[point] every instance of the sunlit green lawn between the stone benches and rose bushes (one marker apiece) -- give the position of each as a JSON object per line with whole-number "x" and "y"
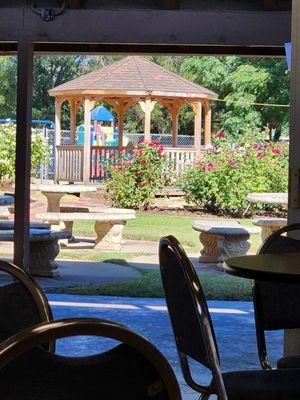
{"x": 153, "y": 227}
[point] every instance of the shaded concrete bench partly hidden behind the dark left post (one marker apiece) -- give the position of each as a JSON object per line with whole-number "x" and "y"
{"x": 44, "y": 247}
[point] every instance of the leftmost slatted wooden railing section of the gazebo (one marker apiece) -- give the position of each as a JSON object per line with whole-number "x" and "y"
{"x": 69, "y": 163}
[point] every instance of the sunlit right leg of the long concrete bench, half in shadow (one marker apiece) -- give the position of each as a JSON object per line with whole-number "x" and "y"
{"x": 109, "y": 235}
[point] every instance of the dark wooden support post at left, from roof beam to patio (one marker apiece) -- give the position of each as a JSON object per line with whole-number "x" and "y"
{"x": 23, "y": 153}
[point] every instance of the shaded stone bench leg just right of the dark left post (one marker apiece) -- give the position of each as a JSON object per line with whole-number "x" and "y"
{"x": 42, "y": 258}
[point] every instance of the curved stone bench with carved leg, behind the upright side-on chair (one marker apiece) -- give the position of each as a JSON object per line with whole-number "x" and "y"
{"x": 223, "y": 239}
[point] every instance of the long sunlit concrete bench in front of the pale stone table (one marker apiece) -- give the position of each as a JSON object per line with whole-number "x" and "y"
{"x": 108, "y": 226}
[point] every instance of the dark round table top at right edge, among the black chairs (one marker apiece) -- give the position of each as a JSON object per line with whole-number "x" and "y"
{"x": 282, "y": 267}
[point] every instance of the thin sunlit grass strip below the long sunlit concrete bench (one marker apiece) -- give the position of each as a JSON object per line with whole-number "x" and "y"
{"x": 113, "y": 258}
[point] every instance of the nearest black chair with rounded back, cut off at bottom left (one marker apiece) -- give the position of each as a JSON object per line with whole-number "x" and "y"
{"x": 133, "y": 369}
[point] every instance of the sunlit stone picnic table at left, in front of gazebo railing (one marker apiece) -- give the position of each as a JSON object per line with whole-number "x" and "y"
{"x": 54, "y": 193}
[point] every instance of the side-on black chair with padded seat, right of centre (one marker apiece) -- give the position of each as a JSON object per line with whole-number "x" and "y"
{"x": 195, "y": 338}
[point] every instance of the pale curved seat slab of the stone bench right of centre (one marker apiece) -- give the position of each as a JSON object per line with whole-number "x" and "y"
{"x": 223, "y": 228}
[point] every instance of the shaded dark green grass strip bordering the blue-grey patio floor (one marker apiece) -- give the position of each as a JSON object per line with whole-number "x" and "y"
{"x": 216, "y": 287}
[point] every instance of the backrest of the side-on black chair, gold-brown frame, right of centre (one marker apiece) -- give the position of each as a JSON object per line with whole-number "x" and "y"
{"x": 189, "y": 314}
